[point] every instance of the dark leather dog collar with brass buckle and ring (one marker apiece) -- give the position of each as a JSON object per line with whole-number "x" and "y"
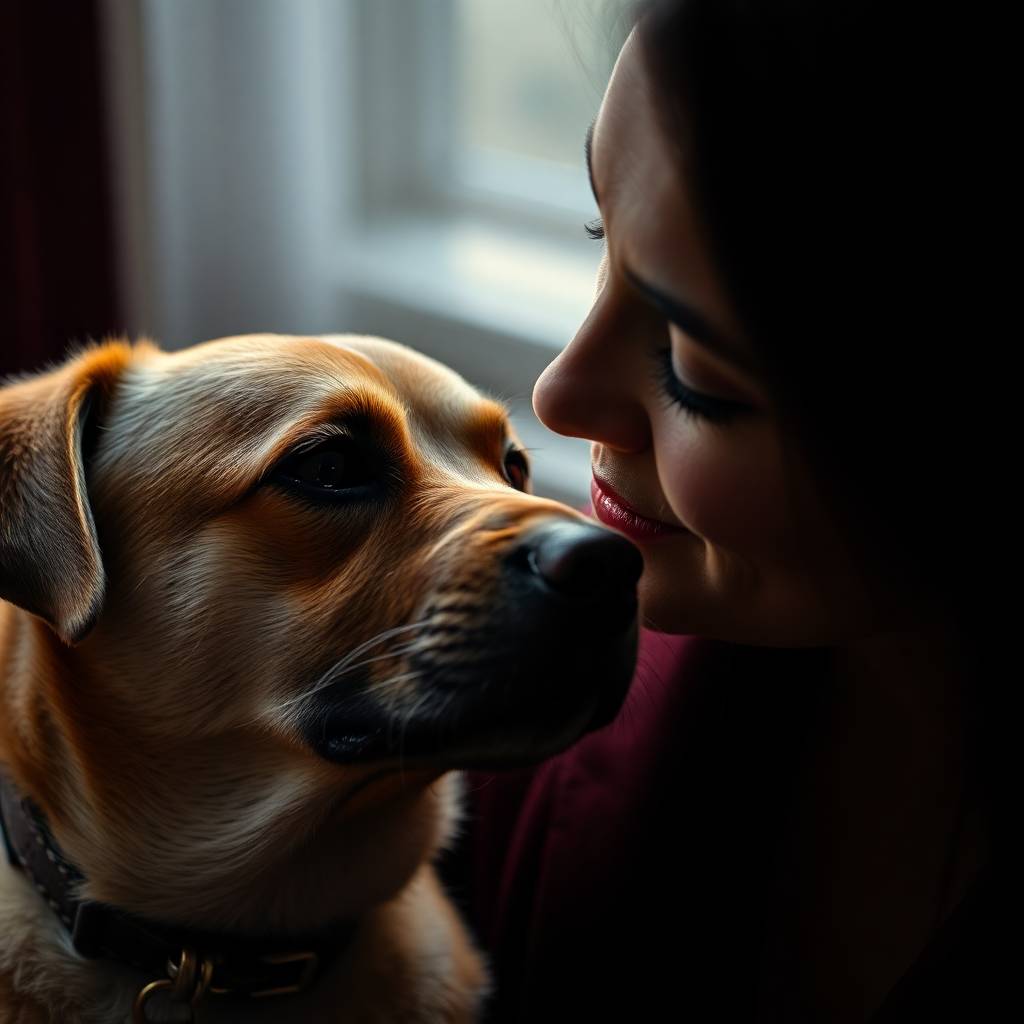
{"x": 186, "y": 963}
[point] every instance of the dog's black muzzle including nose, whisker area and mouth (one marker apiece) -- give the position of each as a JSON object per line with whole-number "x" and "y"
{"x": 509, "y": 666}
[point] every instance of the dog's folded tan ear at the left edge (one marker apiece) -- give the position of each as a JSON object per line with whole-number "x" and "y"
{"x": 50, "y": 557}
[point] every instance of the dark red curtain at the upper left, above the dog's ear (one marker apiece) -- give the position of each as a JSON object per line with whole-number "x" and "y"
{"x": 57, "y": 238}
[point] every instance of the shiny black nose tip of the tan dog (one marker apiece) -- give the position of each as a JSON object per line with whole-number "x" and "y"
{"x": 581, "y": 561}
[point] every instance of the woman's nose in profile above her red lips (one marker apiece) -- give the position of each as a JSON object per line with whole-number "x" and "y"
{"x": 590, "y": 389}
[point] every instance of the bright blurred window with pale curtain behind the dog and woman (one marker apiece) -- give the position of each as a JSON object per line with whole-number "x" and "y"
{"x": 410, "y": 168}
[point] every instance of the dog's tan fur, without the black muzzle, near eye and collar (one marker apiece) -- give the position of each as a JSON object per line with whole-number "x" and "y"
{"x": 166, "y": 611}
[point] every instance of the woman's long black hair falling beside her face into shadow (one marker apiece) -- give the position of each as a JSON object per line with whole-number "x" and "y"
{"x": 836, "y": 152}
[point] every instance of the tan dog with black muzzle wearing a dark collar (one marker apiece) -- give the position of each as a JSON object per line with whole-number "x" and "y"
{"x": 261, "y": 602}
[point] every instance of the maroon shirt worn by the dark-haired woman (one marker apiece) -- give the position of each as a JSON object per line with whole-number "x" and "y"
{"x": 630, "y": 878}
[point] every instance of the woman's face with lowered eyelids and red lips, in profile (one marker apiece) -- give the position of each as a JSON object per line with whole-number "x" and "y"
{"x": 737, "y": 544}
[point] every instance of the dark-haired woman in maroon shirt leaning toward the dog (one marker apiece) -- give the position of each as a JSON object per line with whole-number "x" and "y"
{"x": 792, "y": 821}
